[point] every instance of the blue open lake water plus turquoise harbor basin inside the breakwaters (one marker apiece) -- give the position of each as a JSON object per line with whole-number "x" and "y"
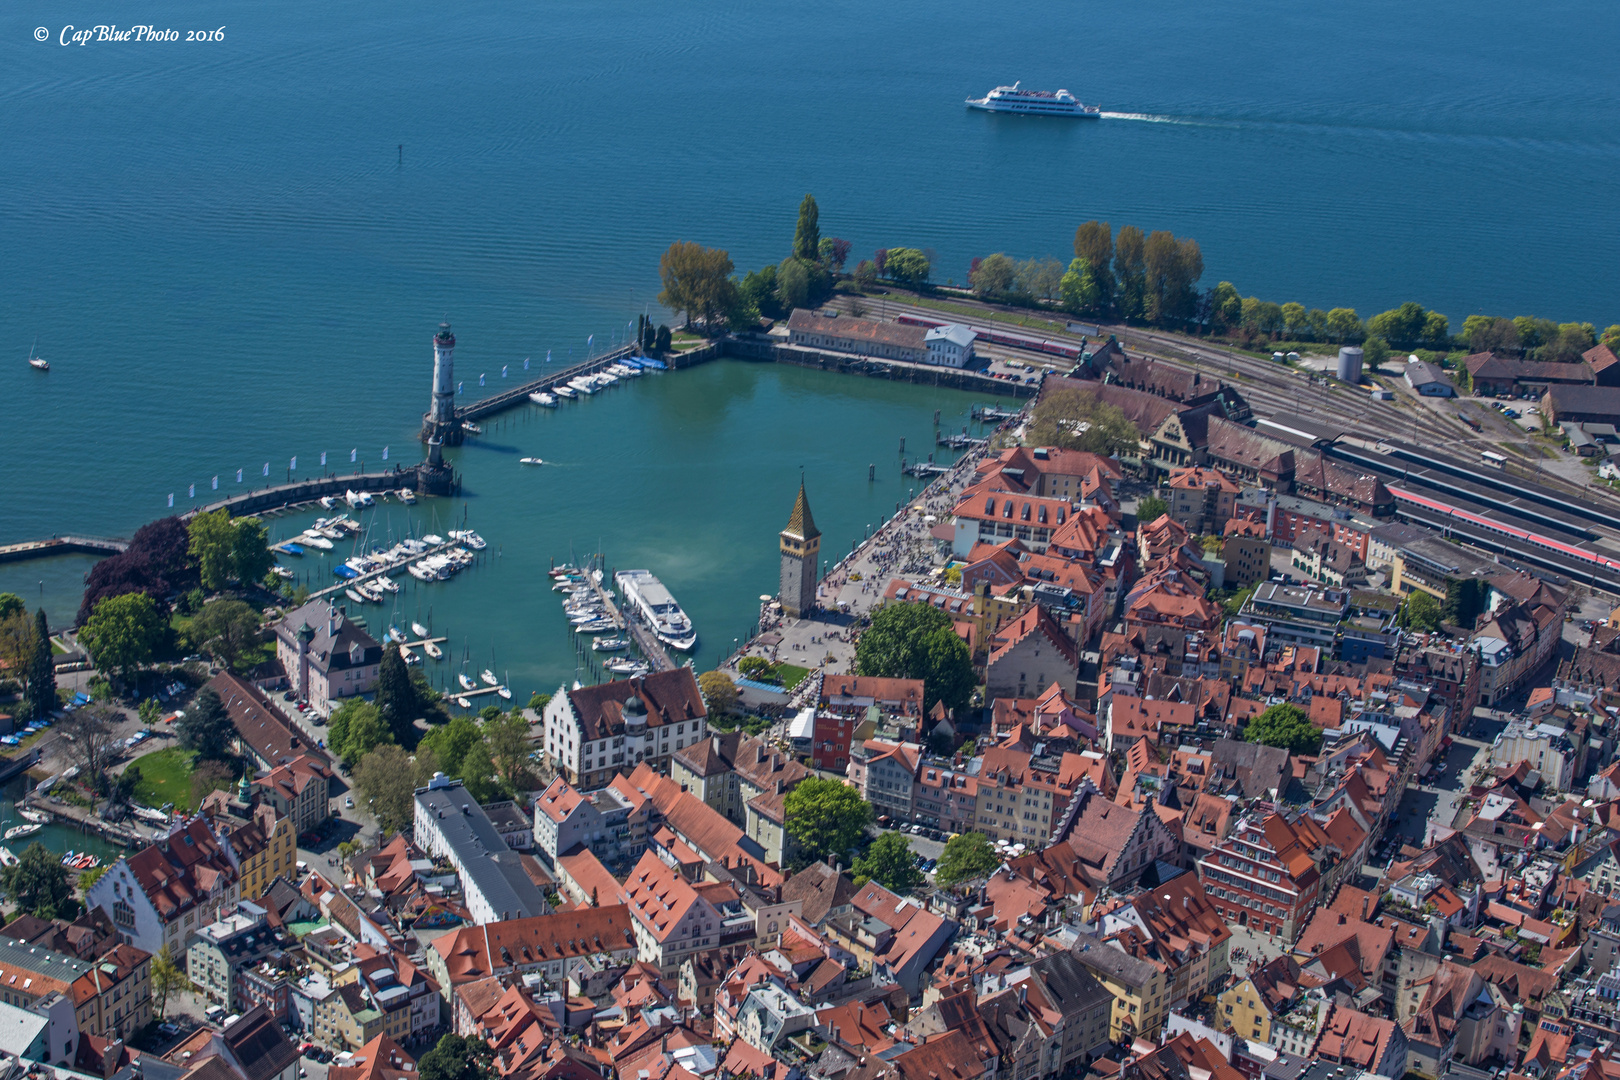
{"x": 229, "y": 260}
